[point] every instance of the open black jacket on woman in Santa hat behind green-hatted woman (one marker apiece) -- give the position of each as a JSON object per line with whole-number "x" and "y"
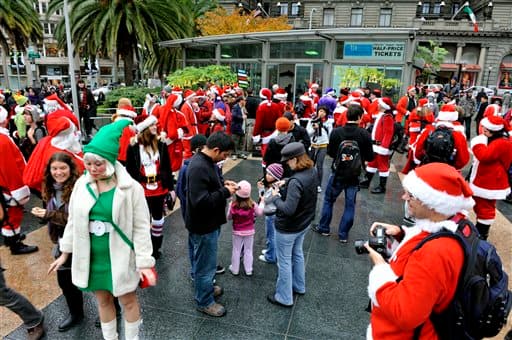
{"x": 133, "y": 165}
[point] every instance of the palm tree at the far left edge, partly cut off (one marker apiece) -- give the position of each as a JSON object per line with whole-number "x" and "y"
{"x": 19, "y": 24}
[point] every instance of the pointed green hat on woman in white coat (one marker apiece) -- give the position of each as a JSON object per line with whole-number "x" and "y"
{"x": 106, "y": 142}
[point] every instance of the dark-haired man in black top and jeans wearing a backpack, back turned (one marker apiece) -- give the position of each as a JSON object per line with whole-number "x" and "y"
{"x": 350, "y": 184}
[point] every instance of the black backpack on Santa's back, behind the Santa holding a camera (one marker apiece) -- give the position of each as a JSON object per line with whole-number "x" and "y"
{"x": 440, "y": 146}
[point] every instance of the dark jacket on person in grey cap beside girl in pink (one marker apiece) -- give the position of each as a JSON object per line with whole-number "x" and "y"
{"x": 297, "y": 204}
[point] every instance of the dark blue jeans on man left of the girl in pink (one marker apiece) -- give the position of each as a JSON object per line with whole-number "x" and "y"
{"x": 204, "y": 265}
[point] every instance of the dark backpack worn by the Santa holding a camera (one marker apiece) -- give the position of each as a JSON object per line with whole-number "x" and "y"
{"x": 482, "y": 301}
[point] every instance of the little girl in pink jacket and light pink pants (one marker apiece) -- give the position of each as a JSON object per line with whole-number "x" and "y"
{"x": 242, "y": 211}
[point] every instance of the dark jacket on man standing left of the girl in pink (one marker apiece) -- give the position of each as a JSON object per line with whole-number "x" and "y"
{"x": 206, "y": 196}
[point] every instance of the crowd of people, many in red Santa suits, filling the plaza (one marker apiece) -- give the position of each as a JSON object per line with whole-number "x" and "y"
{"x": 105, "y": 203}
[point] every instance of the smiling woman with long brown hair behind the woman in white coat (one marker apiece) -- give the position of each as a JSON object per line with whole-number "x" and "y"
{"x": 59, "y": 178}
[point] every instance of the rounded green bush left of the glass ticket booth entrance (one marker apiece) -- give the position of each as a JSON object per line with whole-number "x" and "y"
{"x": 193, "y": 76}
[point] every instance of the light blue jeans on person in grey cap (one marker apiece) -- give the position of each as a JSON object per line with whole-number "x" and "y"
{"x": 291, "y": 275}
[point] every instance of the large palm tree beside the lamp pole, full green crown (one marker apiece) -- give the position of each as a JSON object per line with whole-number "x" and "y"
{"x": 120, "y": 27}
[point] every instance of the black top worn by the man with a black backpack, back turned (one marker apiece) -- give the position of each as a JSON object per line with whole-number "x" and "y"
{"x": 353, "y": 132}
